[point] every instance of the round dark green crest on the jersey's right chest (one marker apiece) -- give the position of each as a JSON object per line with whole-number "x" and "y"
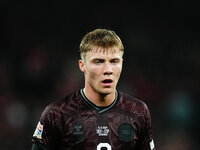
{"x": 126, "y": 132}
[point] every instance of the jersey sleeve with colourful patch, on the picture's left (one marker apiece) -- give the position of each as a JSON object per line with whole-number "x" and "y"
{"x": 47, "y": 132}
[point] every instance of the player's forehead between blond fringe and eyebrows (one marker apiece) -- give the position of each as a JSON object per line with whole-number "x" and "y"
{"x": 104, "y": 53}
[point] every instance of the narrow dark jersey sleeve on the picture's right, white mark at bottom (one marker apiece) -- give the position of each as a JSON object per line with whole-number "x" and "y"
{"x": 146, "y": 140}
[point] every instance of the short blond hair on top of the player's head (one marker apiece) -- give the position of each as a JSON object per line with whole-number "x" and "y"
{"x": 101, "y": 38}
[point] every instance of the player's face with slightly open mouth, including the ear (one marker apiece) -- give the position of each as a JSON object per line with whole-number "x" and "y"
{"x": 102, "y": 70}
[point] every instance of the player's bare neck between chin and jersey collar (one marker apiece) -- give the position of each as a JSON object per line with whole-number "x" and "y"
{"x": 99, "y": 99}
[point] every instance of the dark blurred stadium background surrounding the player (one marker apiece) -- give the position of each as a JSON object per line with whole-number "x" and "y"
{"x": 39, "y": 55}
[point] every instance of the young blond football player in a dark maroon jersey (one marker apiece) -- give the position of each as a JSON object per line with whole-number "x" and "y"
{"x": 97, "y": 117}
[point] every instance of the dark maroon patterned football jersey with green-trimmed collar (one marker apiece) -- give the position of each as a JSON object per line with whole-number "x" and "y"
{"x": 75, "y": 123}
